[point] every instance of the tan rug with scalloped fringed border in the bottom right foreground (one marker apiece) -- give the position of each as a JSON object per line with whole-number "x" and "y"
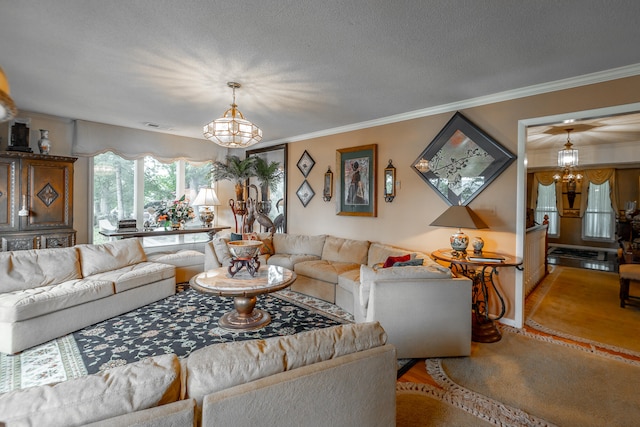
{"x": 553, "y": 382}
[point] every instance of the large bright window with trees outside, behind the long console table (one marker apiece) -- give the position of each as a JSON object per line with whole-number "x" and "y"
{"x": 117, "y": 182}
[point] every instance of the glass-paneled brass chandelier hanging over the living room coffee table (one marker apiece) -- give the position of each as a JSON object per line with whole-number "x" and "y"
{"x": 232, "y": 130}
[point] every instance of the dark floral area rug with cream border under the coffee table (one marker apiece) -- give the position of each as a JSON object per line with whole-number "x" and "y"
{"x": 178, "y": 324}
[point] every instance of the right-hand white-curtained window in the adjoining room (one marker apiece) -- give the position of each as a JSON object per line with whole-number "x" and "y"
{"x": 598, "y": 219}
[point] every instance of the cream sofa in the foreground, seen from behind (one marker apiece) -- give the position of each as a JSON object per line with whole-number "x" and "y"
{"x": 339, "y": 376}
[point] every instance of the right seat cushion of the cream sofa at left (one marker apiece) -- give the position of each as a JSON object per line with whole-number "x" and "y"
{"x": 133, "y": 276}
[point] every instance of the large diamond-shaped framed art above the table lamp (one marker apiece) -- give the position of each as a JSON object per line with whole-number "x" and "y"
{"x": 461, "y": 161}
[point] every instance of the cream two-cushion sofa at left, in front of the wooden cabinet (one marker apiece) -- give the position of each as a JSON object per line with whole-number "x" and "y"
{"x": 47, "y": 293}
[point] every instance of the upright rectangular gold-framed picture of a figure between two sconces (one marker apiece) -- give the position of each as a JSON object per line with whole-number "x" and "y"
{"x": 357, "y": 180}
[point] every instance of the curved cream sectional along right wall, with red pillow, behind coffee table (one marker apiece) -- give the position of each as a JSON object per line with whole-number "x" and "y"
{"x": 425, "y": 309}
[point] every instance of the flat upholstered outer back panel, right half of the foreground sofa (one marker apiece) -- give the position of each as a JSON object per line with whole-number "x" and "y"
{"x": 356, "y": 389}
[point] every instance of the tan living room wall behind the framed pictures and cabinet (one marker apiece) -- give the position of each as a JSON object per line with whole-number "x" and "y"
{"x": 405, "y": 221}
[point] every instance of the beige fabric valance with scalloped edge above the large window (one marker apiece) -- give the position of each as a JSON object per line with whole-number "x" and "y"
{"x": 91, "y": 138}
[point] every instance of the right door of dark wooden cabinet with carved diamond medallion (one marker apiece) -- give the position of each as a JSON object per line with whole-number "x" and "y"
{"x": 50, "y": 192}
